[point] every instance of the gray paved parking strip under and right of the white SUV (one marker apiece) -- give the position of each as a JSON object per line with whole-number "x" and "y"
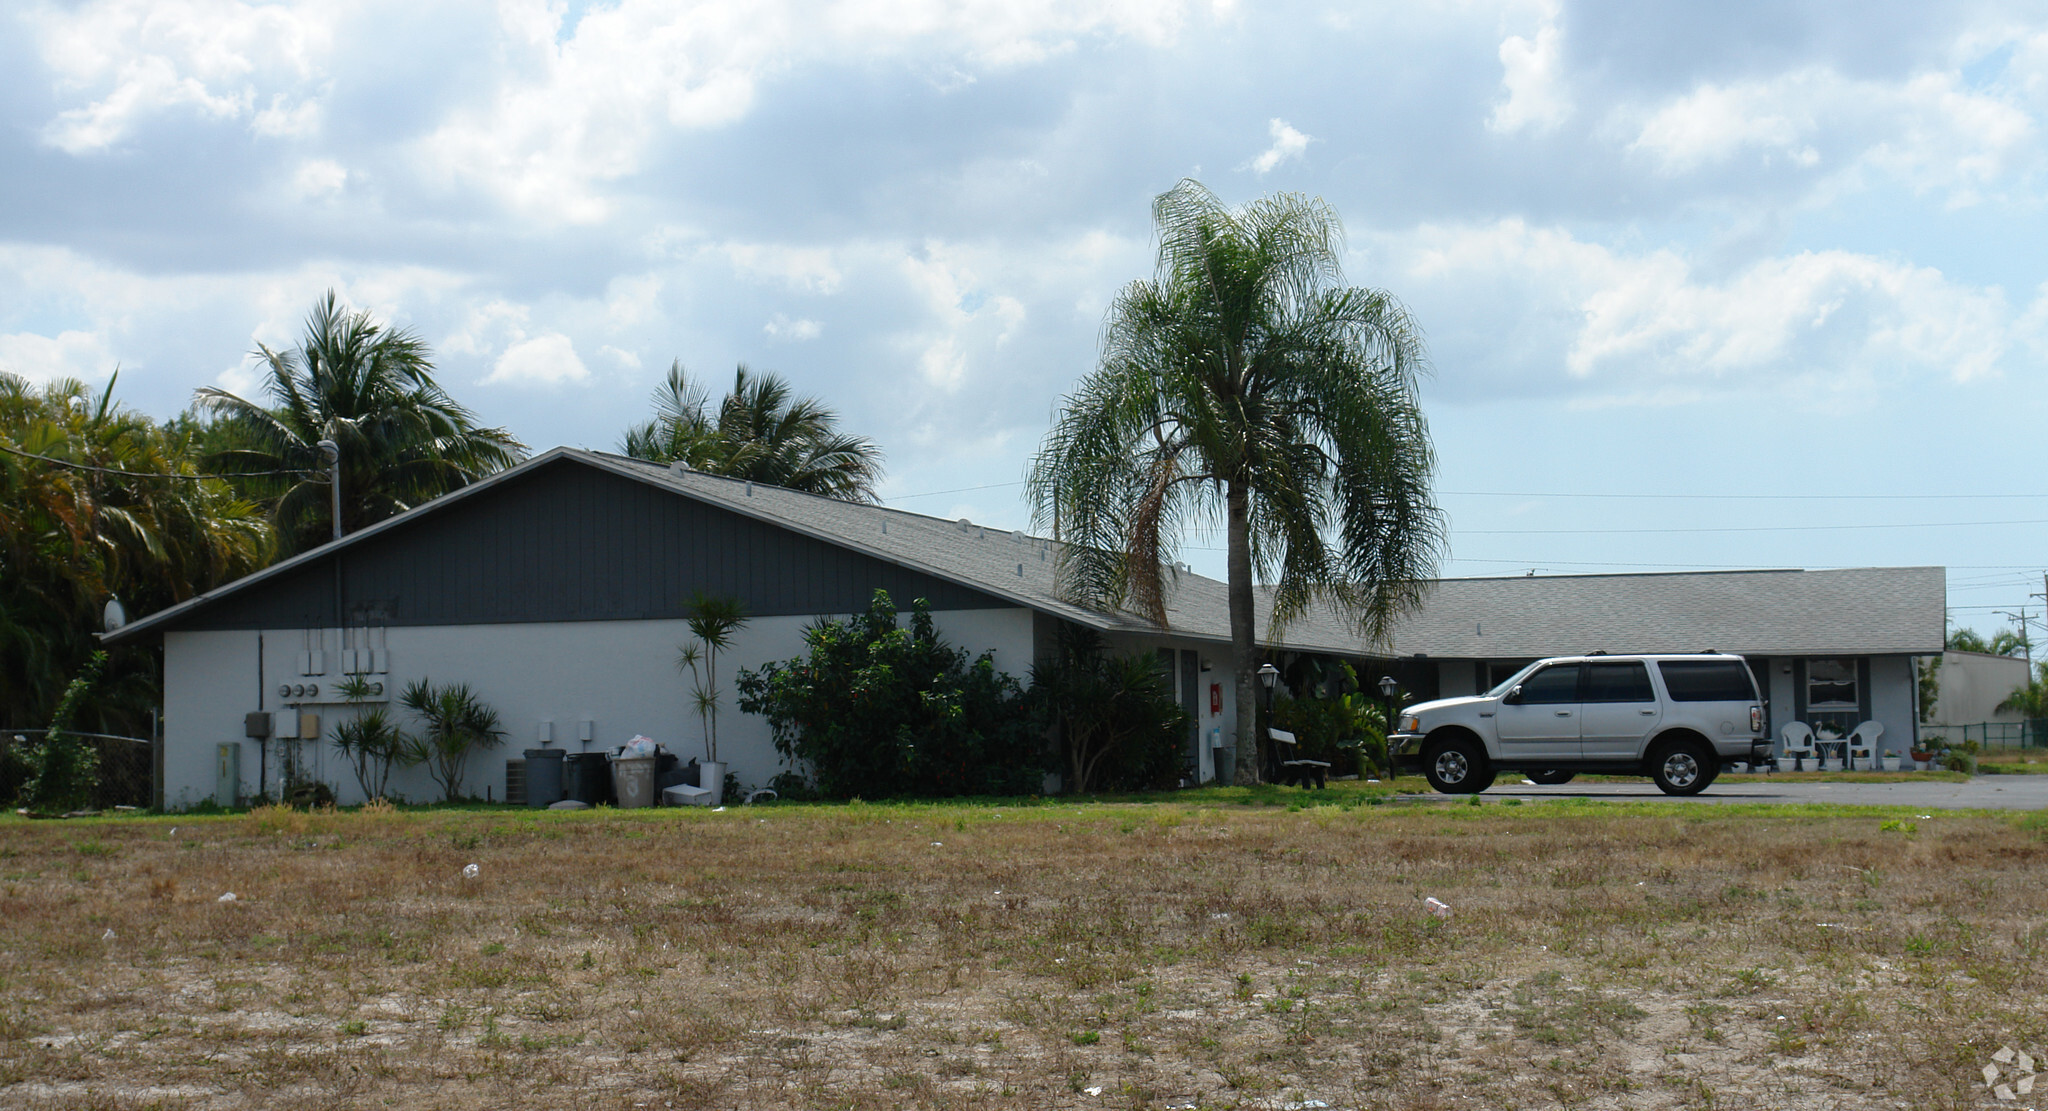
{"x": 1983, "y": 792}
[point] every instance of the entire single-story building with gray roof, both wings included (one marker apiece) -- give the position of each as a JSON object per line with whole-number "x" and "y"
{"x": 558, "y": 591}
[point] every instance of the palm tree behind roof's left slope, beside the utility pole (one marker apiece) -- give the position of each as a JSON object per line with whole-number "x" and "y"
{"x": 372, "y": 390}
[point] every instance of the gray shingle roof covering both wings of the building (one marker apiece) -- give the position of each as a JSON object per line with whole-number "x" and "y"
{"x": 1775, "y": 612}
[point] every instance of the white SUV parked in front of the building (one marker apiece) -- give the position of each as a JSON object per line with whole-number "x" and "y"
{"x": 1674, "y": 718}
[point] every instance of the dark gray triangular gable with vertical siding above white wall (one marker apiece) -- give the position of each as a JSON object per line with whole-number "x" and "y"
{"x": 570, "y": 542}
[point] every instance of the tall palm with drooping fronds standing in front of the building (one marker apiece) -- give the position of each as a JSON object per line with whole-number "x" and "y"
{"x": 1248, "y": 384}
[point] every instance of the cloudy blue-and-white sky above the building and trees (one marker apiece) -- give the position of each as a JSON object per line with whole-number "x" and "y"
{"x": 1707, "y": 286}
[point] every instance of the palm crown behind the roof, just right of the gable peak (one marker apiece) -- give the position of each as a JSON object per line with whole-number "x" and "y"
{"x": 761, "y": 431}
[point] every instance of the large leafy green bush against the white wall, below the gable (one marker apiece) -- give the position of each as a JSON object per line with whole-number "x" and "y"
{"x": 884, "y": 712}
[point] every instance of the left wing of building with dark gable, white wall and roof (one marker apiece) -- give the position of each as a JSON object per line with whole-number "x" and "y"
{"x": 558, "y": 591}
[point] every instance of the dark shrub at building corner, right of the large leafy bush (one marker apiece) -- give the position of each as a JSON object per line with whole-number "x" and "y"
{"x": 1113, "y": 716}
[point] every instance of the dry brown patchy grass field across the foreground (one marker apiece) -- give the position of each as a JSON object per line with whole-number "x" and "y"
{"x": 1215, "y": 952}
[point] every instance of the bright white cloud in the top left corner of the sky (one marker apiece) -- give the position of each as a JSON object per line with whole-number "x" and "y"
{"x": 136, "y": 60}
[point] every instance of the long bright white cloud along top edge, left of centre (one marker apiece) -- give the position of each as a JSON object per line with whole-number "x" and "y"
{"x": 583, "y": 106}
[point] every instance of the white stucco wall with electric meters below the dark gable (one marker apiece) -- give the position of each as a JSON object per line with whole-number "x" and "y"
{"x": 620, "y": 675}
